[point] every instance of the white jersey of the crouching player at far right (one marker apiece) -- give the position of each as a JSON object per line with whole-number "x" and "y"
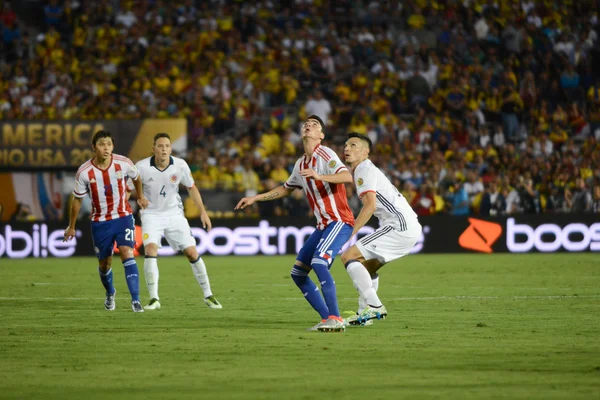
{"x": 391, "y": 207}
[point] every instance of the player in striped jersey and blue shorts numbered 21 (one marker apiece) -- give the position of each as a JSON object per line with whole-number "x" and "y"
{"x": 103, "y": 178}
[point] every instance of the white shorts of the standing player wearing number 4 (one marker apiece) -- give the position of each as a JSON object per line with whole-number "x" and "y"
{"x": 175, "y": 229}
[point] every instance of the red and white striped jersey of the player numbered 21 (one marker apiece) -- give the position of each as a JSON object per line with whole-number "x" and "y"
{"x": 106, "y": 187}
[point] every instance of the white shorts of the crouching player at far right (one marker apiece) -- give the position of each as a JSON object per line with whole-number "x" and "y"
{"x": 388, "y": 244}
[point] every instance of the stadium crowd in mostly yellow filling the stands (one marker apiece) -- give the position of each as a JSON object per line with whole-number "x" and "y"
{"x": 475, "y": 107}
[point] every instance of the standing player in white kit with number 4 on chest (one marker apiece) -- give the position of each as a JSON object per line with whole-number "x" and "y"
{"x": 161, "y": 176}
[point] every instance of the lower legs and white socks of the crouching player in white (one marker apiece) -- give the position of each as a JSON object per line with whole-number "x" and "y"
{"x": 363, "y": 274}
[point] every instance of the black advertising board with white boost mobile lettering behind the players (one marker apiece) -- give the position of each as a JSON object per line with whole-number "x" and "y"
{"x": 441, "y": 234}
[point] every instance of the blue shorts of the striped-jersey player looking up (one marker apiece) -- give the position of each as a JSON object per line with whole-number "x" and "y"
{"x": 326, "y": 244}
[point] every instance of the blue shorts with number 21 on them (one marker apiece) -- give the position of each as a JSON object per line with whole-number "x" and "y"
{"x": 106, "y": 233}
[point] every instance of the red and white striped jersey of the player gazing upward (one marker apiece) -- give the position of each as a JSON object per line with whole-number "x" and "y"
{"x": 327, "y": 200}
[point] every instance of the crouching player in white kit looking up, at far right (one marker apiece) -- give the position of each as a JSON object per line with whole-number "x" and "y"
{"x": 398, "y": 233}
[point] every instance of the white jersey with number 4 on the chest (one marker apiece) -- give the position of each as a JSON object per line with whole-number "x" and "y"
{"x": 161, "y": 187}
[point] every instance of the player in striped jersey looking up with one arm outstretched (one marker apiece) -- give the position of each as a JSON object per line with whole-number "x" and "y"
{"x": 321, "y": 175}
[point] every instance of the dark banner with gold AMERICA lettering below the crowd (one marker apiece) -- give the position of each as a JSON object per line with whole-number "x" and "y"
{"x": 65, "y": 145}
